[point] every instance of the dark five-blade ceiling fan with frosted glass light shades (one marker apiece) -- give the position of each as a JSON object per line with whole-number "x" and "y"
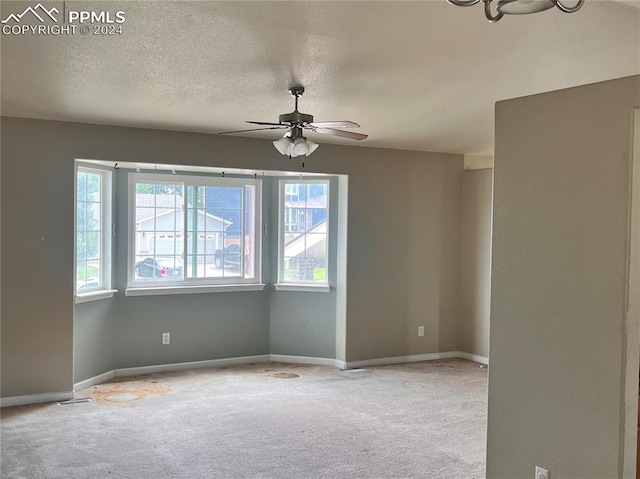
{"x": 294, "y": 143}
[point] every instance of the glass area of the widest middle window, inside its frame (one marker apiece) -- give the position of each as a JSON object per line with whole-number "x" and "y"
{"x": 216, "y": 224}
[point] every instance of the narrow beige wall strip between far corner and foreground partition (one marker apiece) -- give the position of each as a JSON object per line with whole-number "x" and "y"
{"x": 475, "y": 270}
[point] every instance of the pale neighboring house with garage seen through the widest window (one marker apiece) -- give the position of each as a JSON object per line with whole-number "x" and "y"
{"x": 160, "y": 227}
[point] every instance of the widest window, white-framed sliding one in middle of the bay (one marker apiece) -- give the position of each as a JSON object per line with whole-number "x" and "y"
{"x": 193, "y": 231}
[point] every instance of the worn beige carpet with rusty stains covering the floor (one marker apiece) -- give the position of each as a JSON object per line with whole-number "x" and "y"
{"x": 272, "y": 420}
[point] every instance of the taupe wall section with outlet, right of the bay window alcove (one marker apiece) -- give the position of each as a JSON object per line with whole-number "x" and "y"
{"x": 403, "y": 254}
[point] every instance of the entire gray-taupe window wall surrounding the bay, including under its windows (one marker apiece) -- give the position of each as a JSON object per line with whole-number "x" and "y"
{"x": 403, "y": 257}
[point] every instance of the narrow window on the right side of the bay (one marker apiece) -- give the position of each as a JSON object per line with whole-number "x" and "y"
{"x": 304, "y": 214}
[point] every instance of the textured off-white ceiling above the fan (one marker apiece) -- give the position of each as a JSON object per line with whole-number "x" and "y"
{"x": 420, "y": 75}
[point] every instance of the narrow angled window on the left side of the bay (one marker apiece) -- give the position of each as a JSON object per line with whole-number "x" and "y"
{"x": 93, "y": 239}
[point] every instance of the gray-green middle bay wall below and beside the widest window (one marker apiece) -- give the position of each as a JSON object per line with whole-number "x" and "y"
{"x": 202, "y": 326}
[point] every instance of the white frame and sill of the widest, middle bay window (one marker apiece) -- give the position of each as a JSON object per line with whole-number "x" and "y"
{"x": 136, "y": 287}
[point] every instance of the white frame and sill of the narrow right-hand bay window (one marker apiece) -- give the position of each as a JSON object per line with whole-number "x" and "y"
{"x": 282, "y": 285}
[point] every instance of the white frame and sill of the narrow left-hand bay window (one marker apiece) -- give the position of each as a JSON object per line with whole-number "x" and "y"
{"x": 106, "y": 222}
